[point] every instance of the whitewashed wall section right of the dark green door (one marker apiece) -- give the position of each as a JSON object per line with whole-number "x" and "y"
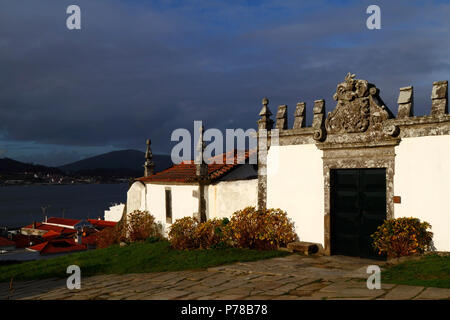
{"x": 422, "y": 179}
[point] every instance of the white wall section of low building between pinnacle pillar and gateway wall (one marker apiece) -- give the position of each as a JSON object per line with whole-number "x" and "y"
{"x": 226, "y": 197}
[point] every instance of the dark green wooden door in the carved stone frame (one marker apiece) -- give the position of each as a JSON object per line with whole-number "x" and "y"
{"x": 358, "y": 207}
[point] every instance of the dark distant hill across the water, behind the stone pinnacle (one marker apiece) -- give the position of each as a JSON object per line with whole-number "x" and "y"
{"x": 123, "y": 162}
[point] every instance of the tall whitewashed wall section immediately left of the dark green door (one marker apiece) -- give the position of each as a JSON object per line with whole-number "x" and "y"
{"x": 295, "y": 184}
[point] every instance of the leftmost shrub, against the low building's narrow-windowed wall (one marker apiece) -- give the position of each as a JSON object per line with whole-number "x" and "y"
{"x": 141, "y": 226}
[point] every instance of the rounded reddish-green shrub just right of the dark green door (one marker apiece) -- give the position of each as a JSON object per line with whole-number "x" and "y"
{"x": 402, "y": 237}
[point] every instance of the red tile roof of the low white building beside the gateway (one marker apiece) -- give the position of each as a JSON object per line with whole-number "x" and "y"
{"x": 186, "y": 171}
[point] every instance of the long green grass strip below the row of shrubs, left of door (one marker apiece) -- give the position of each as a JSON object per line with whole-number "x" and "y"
{"x": 134, "y": 258}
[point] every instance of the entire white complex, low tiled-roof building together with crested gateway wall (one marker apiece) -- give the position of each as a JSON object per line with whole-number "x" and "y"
{"x": 339, "y": 179}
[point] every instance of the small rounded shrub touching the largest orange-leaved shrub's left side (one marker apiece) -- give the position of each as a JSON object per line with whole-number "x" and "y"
{"x": 210, "y": 234}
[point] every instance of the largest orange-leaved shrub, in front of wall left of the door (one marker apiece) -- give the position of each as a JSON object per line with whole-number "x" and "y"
{"x": 261, "y": 229}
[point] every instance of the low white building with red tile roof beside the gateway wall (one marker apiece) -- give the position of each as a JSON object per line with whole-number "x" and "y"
{"x": 174, "y": 193}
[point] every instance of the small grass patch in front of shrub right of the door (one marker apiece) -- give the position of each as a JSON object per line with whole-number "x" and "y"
{"x": 429, "y": 271}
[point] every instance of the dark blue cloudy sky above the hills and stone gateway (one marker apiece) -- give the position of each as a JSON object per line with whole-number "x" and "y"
{"x": 141, "y": 69}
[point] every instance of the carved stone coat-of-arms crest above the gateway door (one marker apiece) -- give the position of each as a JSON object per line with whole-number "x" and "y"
{"x": 358, "y": 109}
